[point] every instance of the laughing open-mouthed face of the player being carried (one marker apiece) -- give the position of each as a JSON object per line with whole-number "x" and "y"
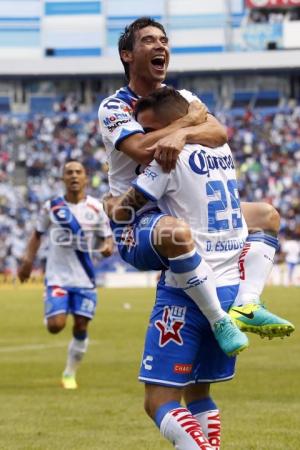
{"x": 149, "y": 59}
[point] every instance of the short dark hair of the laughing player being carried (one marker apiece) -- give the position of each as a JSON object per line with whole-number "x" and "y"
{"x": 126, "y": 39}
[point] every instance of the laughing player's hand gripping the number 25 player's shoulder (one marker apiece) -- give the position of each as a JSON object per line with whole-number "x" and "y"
{"x": 167, "y": 149}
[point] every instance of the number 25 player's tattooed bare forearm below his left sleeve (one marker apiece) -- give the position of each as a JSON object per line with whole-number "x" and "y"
{"x": 122, "y": 208}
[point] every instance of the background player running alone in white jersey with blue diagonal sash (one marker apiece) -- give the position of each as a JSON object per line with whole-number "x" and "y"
{"x": 77, "y": 226}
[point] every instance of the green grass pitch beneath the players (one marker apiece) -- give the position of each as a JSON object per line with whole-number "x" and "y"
{"x": 260, "y": 407}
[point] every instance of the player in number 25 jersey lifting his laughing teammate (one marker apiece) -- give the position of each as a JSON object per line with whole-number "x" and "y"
{"x": 181, "y": 356}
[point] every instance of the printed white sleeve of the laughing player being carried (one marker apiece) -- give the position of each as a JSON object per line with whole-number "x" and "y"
{"x": 117, "y": 122}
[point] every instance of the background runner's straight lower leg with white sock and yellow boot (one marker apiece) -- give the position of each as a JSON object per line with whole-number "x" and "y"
{"x": 76, "y": 350}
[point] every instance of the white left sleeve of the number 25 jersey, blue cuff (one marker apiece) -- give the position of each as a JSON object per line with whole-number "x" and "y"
{"x": 153, "y": 183}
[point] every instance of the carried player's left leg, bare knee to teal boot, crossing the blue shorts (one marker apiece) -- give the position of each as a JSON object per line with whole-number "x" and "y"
{"x": 173, "y": 240}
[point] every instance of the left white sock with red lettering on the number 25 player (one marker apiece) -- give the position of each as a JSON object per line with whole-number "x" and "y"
{"x": 183, "y": 430}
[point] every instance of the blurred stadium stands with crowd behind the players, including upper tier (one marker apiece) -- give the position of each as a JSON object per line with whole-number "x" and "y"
{"x": 59, "y": 74}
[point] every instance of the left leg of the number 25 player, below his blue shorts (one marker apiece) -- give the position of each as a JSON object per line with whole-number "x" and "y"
{"x": 176, "y": 423}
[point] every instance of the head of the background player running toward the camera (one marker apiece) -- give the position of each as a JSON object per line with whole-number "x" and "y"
{"x": 74, "y": 177}
